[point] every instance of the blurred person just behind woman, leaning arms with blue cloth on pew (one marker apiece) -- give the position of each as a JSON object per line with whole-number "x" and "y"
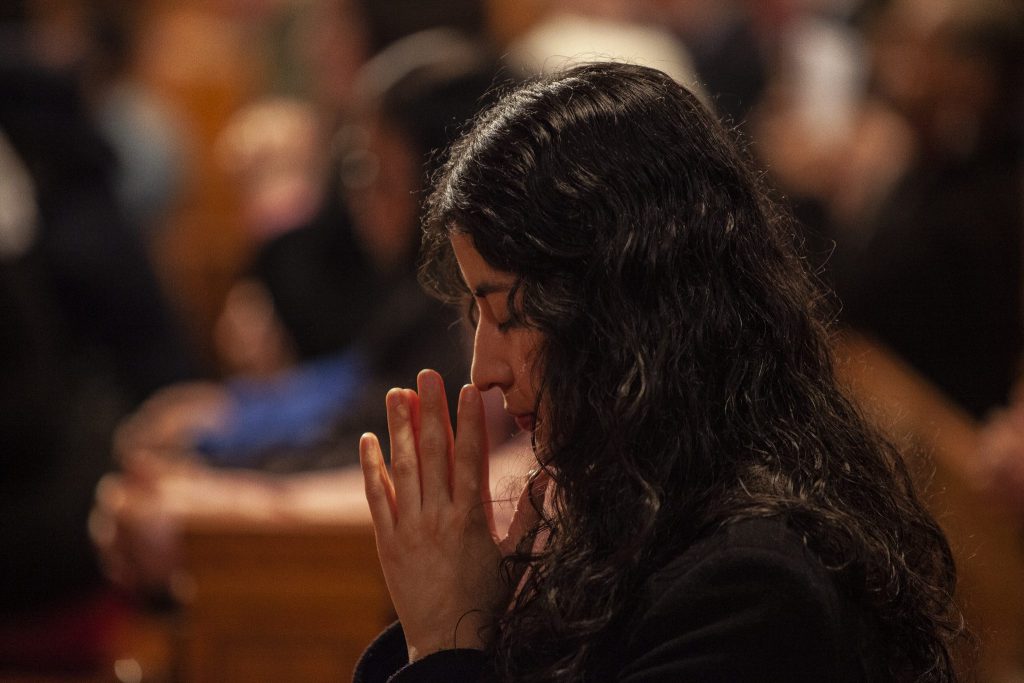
{"x": 295, "y": 432}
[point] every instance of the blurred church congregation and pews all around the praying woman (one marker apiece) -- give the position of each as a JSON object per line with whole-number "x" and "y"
{"x": 208, "y": 240}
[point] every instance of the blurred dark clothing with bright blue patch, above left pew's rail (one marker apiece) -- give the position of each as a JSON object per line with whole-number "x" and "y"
{"x": 296, "y": 423}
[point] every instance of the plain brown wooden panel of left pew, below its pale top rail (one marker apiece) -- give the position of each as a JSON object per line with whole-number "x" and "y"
{"x": 278, "y": 602}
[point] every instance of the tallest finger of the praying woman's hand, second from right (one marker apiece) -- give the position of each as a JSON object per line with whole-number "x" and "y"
{"x": 436, "y": 440}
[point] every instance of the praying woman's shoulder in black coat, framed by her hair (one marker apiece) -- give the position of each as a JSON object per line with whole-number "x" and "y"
{"x": 750, "y": 603}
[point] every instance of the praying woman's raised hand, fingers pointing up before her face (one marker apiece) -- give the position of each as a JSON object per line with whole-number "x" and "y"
{"x": 435, "y": 528}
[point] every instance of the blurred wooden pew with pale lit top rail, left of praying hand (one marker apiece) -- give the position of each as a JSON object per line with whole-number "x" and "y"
{"x": 280, "y": 581}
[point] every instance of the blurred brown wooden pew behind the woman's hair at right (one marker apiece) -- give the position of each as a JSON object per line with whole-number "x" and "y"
{"x": 988, "y": 538}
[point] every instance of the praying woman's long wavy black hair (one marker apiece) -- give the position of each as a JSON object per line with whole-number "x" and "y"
{"x": 687, "y": 379}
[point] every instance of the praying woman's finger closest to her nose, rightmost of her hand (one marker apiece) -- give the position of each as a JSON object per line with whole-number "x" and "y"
{"x": 471, "y": 474}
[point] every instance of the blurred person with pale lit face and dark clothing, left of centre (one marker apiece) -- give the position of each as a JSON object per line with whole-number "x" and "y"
{"x": 277, "y": 152}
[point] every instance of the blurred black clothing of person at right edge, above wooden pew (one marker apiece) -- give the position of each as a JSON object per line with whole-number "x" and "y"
{"x": 937, "y": 274}
